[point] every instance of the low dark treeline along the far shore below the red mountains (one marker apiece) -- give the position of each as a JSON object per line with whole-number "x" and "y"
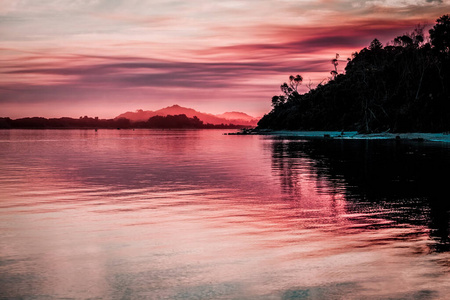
{"x": 178, "y": 121}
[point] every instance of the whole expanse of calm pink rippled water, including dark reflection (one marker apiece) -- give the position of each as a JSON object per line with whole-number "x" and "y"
{"x": 121, "y": 214}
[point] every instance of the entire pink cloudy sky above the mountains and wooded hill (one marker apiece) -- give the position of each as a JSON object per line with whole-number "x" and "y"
{"x": 105, "y": 57}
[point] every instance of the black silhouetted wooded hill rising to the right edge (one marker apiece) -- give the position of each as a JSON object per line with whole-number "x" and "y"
{"x": 402, "y": 87}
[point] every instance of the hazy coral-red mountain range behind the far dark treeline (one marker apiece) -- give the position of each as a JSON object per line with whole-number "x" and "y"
{"x": 236, "y": 118}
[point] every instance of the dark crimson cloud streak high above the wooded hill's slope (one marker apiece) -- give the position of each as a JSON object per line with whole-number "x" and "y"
{"x": 307, "y": 43}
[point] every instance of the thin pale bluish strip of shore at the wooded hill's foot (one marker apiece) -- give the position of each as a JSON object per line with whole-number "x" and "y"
{"x": 352, "y": 135}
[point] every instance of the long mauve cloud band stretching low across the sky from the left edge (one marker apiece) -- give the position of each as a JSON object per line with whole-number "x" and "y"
{"x": 137, "y": 73}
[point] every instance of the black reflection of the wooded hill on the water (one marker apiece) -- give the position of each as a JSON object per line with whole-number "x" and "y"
{"x": 407, "y": 180}
